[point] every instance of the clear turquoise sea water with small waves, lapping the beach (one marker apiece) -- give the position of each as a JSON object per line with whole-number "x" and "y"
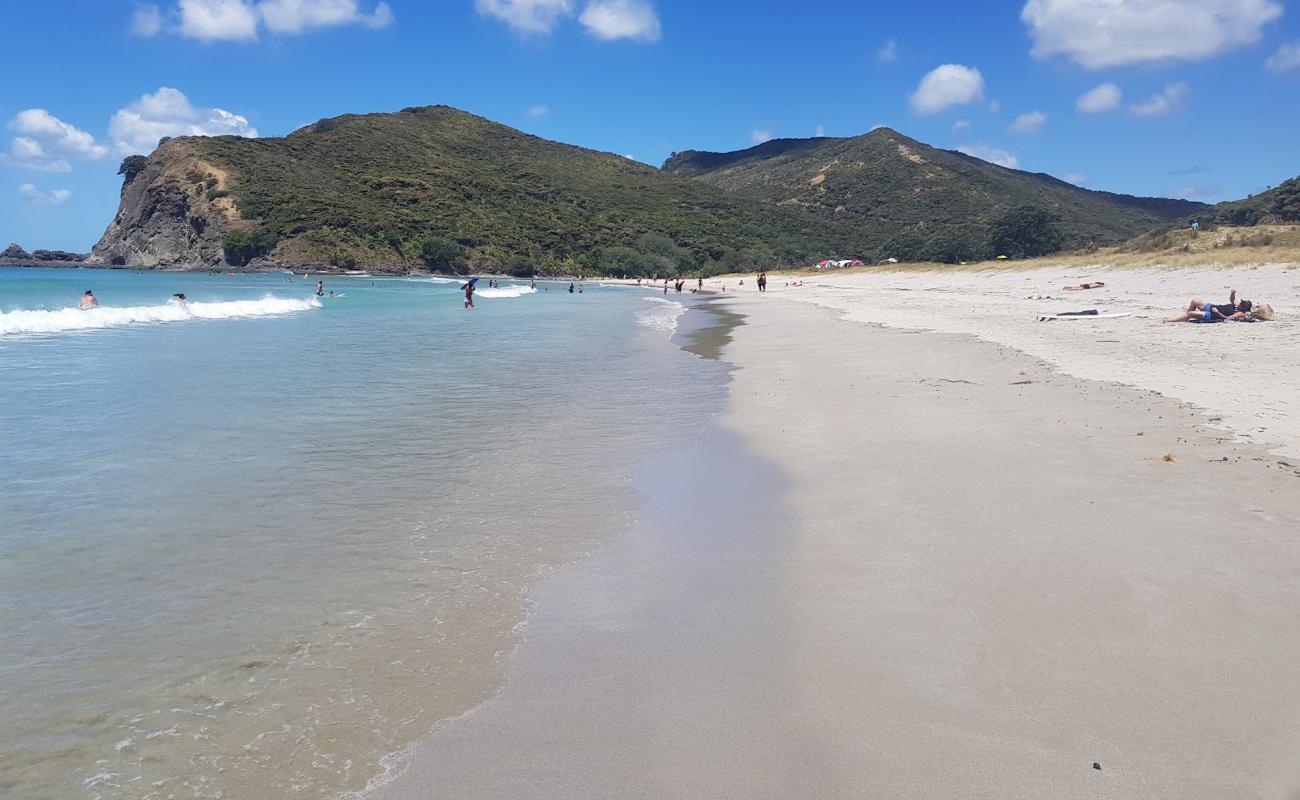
{"x": 250, "y": 547}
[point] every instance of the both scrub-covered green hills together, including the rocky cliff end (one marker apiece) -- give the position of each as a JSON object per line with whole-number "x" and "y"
{"x": 441, "y": 189}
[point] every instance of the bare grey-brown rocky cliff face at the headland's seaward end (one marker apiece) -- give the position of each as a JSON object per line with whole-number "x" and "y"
{"x": 175, "y": 213}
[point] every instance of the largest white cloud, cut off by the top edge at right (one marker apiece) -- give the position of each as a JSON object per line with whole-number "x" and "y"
{"x": 1111, "y": 33}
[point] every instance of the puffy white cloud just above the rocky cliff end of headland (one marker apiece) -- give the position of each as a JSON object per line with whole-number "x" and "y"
{"x": 168, "y": 113}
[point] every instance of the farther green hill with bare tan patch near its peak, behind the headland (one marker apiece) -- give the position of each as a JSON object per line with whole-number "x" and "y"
{"x": 918, "y": 202}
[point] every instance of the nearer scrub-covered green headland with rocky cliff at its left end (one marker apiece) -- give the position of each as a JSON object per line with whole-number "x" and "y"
{"x": 448, "y": 191}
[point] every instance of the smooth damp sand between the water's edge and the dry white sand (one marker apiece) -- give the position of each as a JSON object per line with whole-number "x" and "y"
{"x": 913, "y": 565}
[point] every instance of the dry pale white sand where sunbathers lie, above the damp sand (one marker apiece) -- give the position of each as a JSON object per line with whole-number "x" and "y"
{"x": 1247, "y": 378}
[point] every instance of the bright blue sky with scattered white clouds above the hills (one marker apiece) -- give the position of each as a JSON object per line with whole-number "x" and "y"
{"x": 1199, "y": 98}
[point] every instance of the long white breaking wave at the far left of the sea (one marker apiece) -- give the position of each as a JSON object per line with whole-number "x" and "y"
{"x": 73, "y": 319}
